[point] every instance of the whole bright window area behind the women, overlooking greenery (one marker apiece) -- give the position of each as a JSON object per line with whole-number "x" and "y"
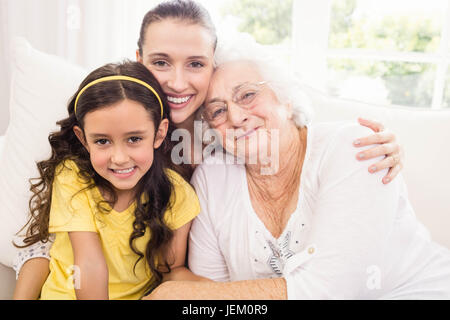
{"x": 378, "y": 51}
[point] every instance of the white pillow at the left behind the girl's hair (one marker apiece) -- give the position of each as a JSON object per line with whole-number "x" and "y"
{"x": 41, "y": 86}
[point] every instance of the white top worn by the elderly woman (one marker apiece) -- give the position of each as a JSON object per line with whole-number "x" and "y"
{"x": 350, "y": 237}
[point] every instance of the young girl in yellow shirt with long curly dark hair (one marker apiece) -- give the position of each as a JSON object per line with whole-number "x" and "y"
{"x": 119, "y": 212}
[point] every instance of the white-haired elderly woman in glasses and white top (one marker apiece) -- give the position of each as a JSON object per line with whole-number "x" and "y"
{"x": 316, "y": 225}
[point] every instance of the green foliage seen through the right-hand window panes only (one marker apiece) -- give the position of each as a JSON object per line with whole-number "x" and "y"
{"x": 407, "y": 83}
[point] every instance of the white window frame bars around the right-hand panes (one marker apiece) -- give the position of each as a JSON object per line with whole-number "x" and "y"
{"x": 310, "y": 33}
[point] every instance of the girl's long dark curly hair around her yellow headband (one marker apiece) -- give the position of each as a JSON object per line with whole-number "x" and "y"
{"x": 155, "y": 184}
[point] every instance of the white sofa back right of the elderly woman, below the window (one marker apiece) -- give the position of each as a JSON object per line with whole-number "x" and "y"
{"x": 425, "y": 136}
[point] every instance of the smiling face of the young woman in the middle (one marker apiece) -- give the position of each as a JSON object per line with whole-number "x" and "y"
{"x": 180, "y": 55}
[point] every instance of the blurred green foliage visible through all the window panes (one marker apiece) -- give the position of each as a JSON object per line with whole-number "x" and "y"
{"x": 407, "y": 83}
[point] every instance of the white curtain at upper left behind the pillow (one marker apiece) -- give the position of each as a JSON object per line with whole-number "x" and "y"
{"x": 88, "y": 33}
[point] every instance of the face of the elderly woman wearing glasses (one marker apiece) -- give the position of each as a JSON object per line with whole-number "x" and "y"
{"x": 242, "y": 107}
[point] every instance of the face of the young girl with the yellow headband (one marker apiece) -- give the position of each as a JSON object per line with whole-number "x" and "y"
{"x": 120, "y": 140}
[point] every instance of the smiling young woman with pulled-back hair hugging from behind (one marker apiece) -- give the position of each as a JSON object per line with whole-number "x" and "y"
{"x": 183, "y": 64}
